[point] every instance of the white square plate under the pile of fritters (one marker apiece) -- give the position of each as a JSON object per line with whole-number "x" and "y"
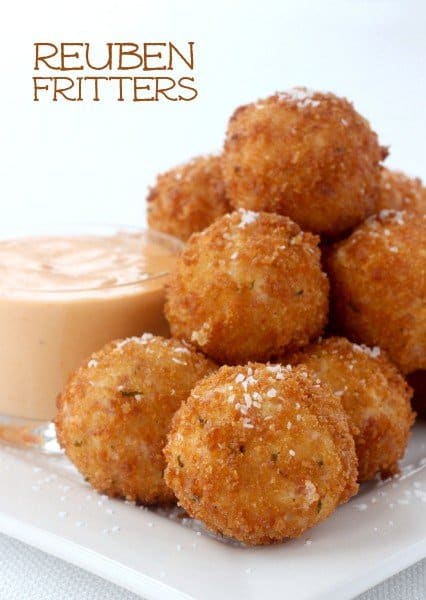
{"x": 45, "y": 503}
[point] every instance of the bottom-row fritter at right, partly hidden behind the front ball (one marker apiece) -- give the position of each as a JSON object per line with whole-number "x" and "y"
{"x": 374, "y": 395}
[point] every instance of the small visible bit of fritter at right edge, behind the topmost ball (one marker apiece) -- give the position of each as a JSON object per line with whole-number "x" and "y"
{"x": 400, "y": 192}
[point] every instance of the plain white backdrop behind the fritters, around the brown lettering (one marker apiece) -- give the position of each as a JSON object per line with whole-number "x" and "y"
{"x": 72, "y": 162}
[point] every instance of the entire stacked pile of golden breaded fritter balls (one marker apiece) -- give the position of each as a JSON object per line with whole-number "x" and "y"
{"x": 247, "y": 417}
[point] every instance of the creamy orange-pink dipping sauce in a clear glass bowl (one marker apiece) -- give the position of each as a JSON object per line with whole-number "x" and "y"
{"x": 63, "y": 297}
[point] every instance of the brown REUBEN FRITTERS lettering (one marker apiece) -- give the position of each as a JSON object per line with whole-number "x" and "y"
{"x": 122, "y": 71}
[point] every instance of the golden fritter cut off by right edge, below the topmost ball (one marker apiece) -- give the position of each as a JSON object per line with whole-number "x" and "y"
{"x": 378, "y": 285}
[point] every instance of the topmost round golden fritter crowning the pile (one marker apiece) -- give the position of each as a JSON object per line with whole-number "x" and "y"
{"x": 304, "y": 154}
